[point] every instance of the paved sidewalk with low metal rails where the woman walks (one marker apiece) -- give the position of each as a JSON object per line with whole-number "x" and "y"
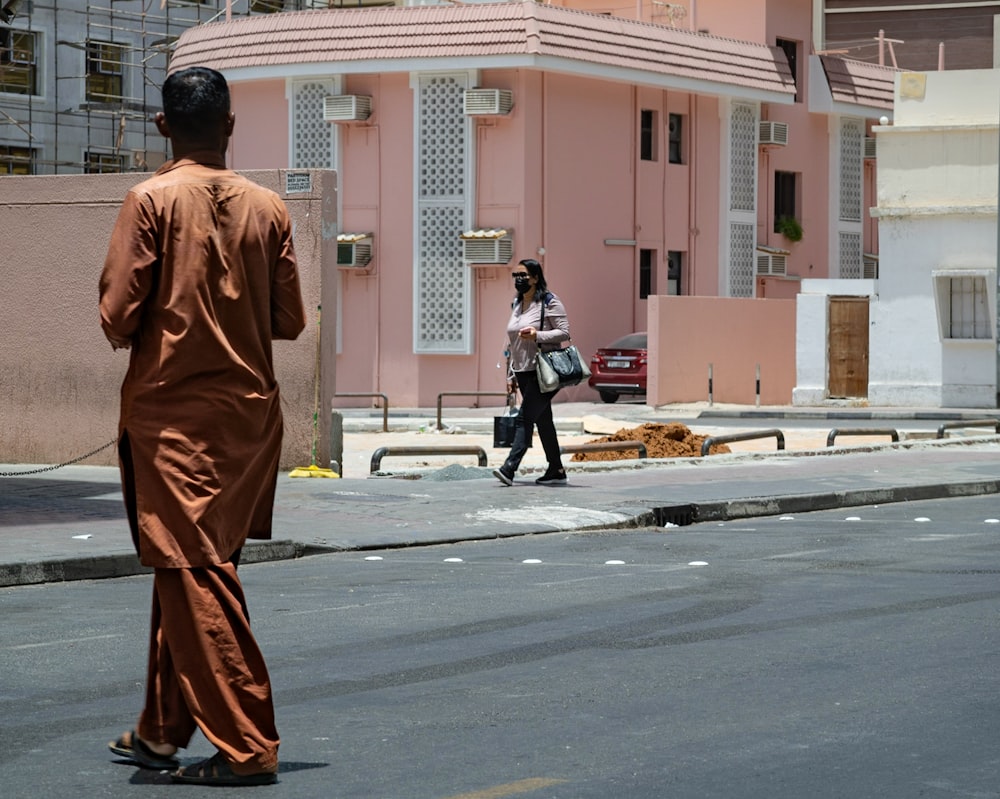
{"x": 69, "y": 524}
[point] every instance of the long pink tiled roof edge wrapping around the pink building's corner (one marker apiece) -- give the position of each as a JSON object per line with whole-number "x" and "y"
{"x": 516, "y": 34}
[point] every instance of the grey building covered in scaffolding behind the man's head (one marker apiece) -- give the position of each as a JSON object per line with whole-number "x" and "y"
{"x": 80, "y": 81}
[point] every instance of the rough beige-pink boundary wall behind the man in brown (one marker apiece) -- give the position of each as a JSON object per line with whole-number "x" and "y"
{"x": 59, "y": 379}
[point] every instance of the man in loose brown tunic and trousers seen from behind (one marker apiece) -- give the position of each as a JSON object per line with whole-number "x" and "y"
{"x": 200, "y": 277}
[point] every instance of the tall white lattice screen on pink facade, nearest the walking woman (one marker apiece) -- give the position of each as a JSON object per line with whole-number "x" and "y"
{"x": 442, "y": 281}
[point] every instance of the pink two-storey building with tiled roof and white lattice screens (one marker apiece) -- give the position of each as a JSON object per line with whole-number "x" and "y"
{"x": 639, "y": 154}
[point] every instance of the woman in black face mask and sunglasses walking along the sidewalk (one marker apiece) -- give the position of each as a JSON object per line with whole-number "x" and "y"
{"x": 537, "y": 320}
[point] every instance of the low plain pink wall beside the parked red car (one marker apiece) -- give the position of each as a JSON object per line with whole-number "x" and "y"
{"x": 734, "y": 335}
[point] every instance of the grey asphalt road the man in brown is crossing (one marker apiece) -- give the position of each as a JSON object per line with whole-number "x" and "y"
{"x": 837, "y": 654}
